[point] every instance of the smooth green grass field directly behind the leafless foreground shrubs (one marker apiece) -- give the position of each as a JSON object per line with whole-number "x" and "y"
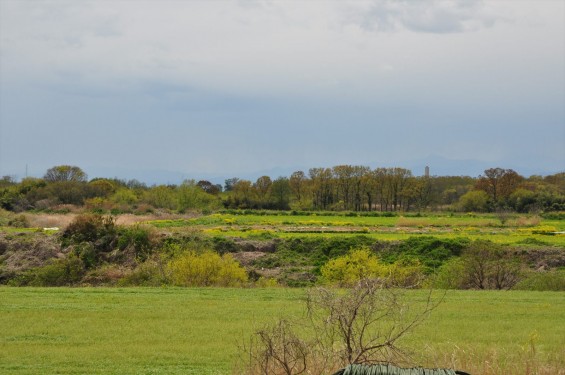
{"x": 197, "y": 331}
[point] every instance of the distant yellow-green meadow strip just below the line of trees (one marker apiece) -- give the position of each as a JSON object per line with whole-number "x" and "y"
{"x": 509, "y": 230}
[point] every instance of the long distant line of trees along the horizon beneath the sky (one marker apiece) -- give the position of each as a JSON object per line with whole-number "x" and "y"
{"x": 339, "y": 188}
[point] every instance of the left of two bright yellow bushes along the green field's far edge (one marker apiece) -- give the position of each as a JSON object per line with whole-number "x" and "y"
{"x": 206, "y": 269}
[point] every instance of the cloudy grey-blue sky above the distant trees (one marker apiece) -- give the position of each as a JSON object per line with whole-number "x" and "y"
{"x": 163, "y": 90}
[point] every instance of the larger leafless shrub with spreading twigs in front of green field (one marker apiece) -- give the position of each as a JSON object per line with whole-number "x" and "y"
{"x": 364, "y": 324}
